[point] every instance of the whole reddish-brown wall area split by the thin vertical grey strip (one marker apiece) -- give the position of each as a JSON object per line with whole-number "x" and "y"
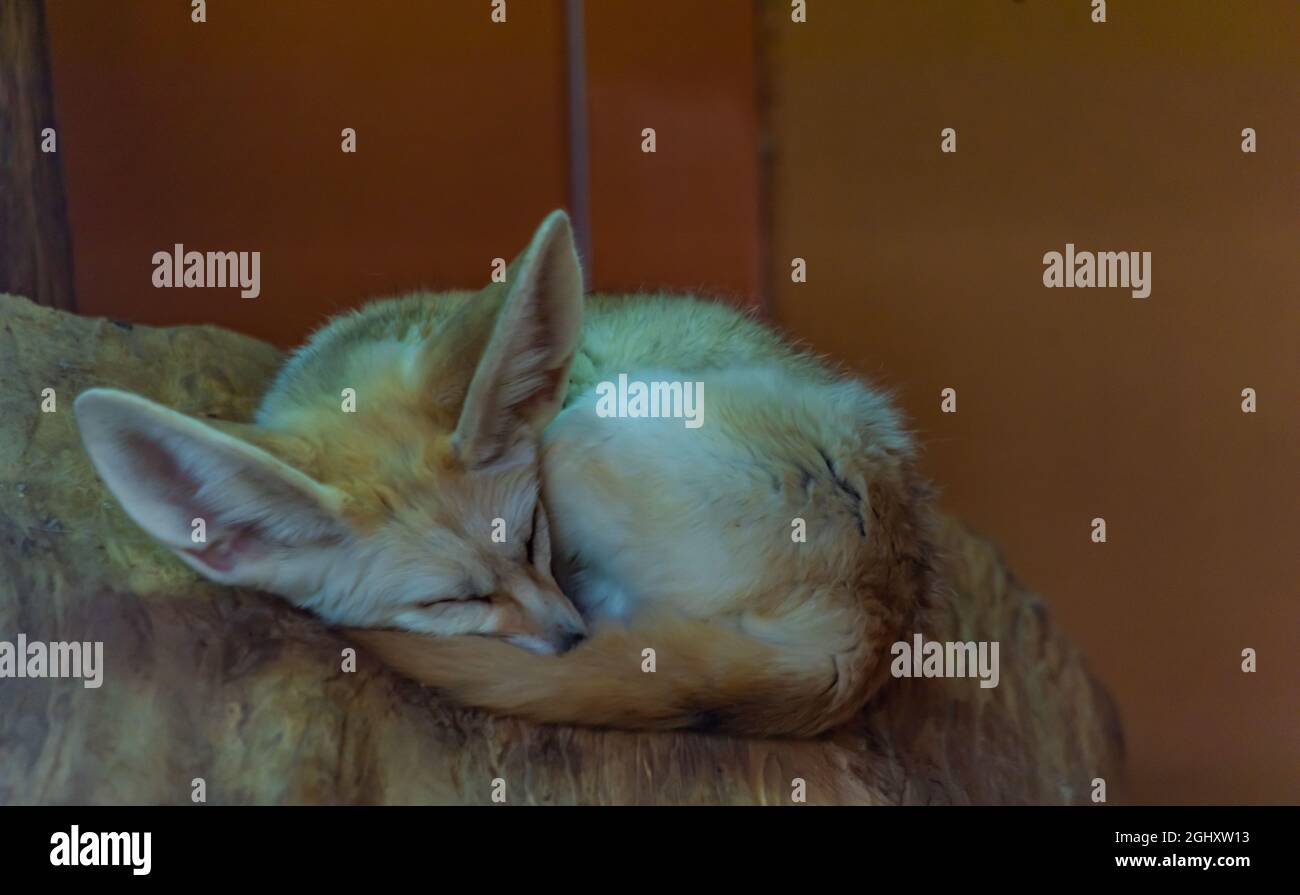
{"x": 226, "y": 136}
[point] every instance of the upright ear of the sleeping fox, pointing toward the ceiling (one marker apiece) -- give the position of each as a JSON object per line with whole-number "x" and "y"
{"x": 521, "y": 381}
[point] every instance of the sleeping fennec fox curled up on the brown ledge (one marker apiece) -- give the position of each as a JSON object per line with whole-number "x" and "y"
{"x": 769, "y": 552}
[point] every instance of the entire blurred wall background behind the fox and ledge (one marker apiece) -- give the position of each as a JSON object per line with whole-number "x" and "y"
{"x": 778, "y": 141}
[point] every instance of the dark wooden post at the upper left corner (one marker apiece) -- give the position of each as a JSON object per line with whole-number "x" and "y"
{"x": 36, "y": 244}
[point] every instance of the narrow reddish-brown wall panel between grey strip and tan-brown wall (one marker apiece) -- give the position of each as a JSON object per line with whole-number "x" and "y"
{"x": 687, "y": 217}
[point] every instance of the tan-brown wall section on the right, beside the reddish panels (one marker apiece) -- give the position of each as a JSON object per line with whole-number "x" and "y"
{"x": 925, "y": 270}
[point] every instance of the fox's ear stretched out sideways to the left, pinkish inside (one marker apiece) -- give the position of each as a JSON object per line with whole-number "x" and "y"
{"x": 170, "y": 472}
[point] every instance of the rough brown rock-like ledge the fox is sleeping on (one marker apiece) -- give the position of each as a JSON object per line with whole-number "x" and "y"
{"x": 246, "y": 693}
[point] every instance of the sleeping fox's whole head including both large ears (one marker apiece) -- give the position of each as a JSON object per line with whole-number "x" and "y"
{"x": 409, "y": 513}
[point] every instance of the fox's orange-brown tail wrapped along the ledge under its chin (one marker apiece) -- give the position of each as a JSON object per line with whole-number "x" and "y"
{"x": 705, "y": 677}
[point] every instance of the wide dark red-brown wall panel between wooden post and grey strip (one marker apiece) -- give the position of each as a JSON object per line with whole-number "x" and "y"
{"x": 226, "y": 136}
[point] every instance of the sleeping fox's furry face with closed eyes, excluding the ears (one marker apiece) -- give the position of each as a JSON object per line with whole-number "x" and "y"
{"x": 449, "y": 550}
